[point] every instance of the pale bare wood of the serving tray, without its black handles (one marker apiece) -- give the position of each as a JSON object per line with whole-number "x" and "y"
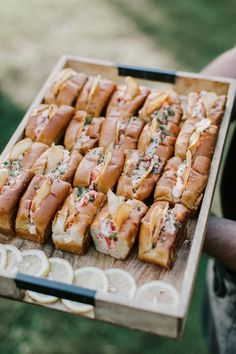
{"x": 111, "y": 308}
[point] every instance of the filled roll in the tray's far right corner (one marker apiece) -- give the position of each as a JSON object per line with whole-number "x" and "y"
{"x": 204, "y": 104}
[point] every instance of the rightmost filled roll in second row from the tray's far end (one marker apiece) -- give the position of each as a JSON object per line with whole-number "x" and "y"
{"x": 198, "y": 136}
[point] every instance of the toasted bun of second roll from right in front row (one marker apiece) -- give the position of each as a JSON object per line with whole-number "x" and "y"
{"x": 120, "y": 245}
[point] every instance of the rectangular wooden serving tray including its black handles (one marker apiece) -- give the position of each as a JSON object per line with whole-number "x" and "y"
{"x": 109, "y": 307}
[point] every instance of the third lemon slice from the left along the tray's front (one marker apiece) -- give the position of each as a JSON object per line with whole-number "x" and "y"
{"x": 34, "y": 262}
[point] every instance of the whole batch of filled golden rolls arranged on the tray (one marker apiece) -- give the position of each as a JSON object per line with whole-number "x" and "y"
{"x": 124, "y": 138}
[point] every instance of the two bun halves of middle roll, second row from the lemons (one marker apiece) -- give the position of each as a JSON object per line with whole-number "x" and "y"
{"x": 109, "y": 177}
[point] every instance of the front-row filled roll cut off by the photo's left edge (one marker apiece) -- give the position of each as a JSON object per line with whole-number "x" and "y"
{"x": 13, "y": 183}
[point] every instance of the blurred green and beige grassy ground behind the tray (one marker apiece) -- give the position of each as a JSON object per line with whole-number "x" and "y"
{"x": 183, "y": 35}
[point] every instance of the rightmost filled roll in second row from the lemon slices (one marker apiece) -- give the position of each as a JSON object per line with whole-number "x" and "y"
{"x": 183, "y": 182}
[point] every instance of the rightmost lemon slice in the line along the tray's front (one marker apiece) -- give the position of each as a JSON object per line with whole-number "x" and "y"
{"x": 158, "y": 292}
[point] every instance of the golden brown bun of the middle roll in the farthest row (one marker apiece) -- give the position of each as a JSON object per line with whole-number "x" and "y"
{"x": 126, "y": 107}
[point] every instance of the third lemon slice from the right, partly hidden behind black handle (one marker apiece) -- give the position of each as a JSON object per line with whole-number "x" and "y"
{"x": 90, "y": 278}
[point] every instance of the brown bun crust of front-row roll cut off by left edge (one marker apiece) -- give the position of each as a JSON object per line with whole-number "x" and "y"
{"x": 9, "y": 199}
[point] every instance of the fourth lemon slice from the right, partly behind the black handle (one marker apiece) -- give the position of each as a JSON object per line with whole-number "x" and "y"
{"x": 60, "y": 270}
